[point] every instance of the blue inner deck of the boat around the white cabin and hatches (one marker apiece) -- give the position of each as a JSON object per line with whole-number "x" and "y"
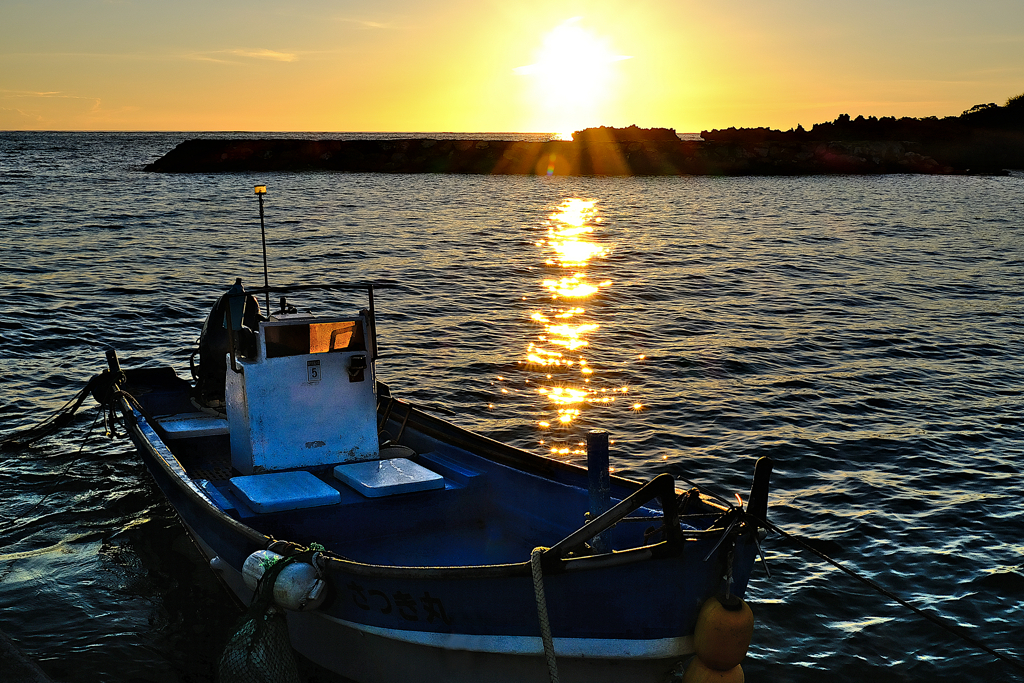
{"x": 487, "y": 514}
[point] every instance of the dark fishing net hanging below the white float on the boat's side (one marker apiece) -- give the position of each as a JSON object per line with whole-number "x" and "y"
{"x": 261, "y": 651}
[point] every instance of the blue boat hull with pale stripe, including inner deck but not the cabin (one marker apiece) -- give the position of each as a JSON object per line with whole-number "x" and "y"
{"x": 437, "y": 585}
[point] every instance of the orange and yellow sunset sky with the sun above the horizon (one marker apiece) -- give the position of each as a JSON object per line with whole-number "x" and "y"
{"x": 480, "y": 66}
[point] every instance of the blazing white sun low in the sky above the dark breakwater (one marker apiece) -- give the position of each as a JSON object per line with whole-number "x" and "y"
{"x": 574, "y": 77}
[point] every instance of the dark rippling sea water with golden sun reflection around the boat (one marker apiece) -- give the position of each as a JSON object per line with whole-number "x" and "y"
{"x": 865, "y": 332}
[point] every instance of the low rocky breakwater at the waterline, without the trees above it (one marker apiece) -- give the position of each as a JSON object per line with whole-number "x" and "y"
{"x": 552, "y": 158}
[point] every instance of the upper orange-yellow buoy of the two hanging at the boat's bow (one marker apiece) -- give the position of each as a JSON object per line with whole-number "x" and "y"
{"x": 723, "y": 632}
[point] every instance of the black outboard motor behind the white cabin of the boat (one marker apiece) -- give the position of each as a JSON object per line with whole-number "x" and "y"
{"x": 215, "y": 344}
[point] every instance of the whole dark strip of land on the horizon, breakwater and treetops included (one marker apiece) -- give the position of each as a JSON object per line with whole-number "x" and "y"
{"x": 986, "y": 139}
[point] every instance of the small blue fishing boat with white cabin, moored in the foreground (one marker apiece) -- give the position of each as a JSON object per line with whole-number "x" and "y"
{"x": 422, "y": 551}
